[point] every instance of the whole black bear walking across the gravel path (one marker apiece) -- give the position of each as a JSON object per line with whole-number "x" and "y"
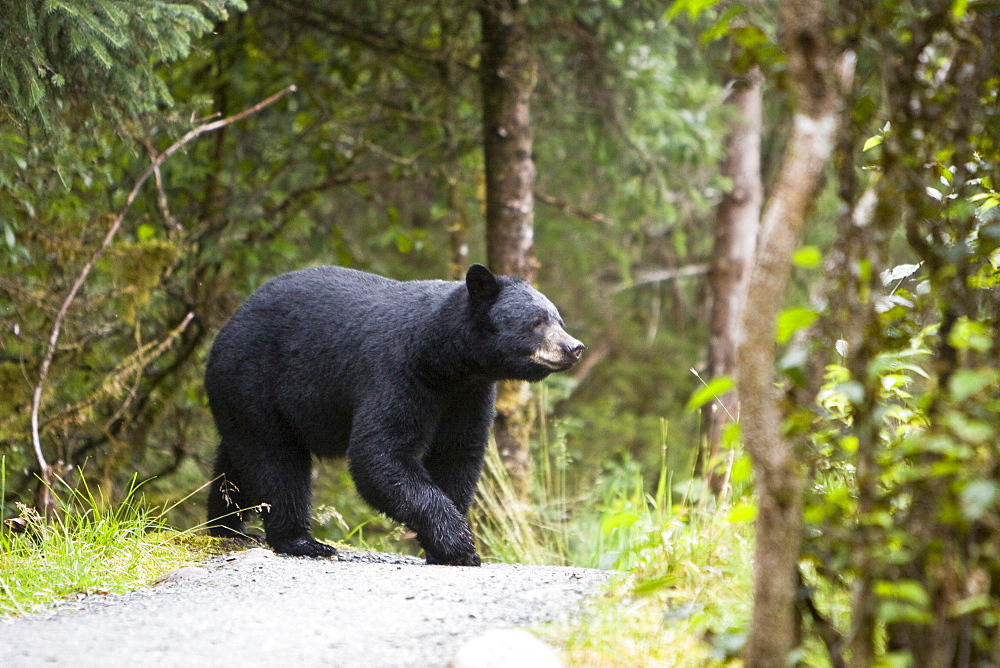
{"x": 398, "y": 376}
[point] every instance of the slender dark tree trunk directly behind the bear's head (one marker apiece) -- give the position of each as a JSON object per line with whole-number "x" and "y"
{"x": 508, "y": 73}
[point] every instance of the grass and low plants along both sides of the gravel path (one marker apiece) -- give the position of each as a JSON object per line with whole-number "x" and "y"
{"x": 680, "y": 598}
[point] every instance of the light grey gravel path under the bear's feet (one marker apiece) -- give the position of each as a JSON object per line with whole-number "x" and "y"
{"x": 254, "y": 608}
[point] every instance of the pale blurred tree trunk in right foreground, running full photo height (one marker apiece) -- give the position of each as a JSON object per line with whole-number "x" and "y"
{"x": 813, "y": 70}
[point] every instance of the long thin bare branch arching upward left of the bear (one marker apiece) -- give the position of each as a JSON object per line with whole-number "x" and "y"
{"x": 45, "y": 497}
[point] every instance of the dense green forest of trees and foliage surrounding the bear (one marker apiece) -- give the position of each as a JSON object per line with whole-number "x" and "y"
{"x": 868, "y": 371}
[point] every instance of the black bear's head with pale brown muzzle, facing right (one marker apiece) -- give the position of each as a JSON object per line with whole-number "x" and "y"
{"x": 522, "y": 329}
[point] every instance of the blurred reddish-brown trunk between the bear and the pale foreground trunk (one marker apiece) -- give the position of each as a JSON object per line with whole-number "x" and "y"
{"x": 732, "y": 257}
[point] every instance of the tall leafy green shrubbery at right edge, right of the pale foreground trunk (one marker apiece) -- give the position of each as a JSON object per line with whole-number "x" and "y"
{"x": 904, "y": 461}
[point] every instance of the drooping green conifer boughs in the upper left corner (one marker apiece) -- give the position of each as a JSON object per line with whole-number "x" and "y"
{"x": 98, "y": 54}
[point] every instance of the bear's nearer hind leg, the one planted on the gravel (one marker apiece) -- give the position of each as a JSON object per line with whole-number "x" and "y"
{"x": 285, "y": 488}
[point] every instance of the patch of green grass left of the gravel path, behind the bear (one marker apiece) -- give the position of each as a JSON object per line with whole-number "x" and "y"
{"x": 90, "y": 547}
